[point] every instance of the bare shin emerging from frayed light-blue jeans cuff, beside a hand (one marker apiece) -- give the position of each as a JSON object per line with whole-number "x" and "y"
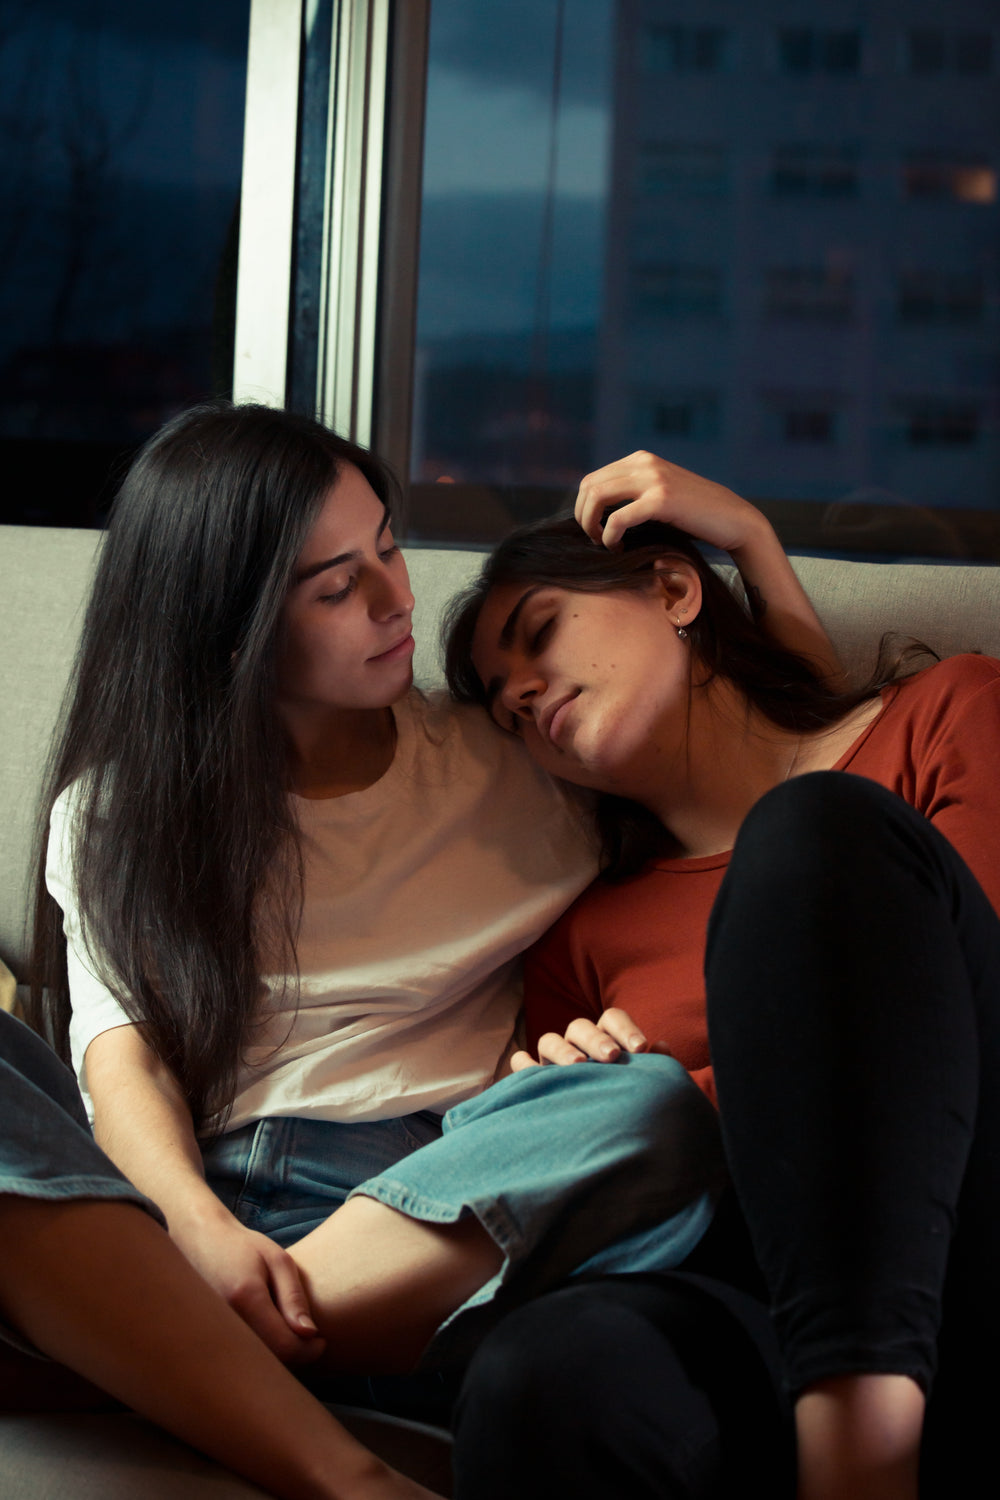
{"x": 380, "y": 1283}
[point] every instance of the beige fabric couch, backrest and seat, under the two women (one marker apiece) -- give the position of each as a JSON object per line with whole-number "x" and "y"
{"x": 46, "y": 578}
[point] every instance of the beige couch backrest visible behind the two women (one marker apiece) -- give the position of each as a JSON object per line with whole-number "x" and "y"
{"x": 47, "y": 574}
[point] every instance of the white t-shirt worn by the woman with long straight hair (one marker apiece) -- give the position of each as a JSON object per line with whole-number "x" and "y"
{"x": 419, "y": 896}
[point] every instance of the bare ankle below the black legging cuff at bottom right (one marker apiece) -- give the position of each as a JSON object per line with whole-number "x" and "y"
{"x": 860, "y": 1439}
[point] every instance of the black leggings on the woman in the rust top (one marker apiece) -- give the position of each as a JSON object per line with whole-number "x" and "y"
{"x": 854, "y": 982}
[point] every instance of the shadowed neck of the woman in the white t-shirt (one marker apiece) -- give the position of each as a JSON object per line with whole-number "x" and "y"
{"x": 335, "y": 752}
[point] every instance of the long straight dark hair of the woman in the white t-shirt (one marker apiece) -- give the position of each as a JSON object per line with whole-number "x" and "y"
{"x": 185, "y": 854}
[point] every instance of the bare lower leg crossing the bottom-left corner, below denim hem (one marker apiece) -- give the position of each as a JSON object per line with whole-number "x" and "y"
{"x": 101, "y": 1288}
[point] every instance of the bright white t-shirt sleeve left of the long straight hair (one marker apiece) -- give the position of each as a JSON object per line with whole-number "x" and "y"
{"x": 95, "y": 1009}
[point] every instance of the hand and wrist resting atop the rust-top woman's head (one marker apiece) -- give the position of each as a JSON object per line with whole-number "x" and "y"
{"x": 648, "y": 488}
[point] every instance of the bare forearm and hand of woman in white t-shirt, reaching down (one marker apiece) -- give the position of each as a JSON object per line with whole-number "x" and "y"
{"x": 145, "y": 1126}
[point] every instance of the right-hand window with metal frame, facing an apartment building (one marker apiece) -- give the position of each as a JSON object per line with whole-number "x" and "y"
{"x": 623, "y": 241}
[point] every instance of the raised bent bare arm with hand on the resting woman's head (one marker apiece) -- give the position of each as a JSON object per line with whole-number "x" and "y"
{"x": 654, "y": 490}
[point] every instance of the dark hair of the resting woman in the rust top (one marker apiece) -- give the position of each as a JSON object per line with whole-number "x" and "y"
{"x": 726, "y": 643}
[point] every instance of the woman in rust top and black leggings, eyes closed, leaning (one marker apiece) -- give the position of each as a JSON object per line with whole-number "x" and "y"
{"x": 852, "y": 979}
